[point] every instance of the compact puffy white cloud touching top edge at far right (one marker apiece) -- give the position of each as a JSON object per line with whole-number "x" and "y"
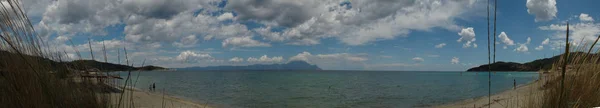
{"x": 543, "y": 10}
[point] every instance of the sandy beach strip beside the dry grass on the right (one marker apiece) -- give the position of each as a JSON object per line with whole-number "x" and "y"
{"x": 507, "y": 99}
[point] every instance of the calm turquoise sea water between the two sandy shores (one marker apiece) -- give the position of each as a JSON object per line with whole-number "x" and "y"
{"x": 327, "y": 89}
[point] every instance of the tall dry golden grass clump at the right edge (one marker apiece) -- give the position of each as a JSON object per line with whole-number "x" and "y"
{"x": 579, "y": 86}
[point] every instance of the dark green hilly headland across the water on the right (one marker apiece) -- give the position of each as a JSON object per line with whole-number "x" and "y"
{"x": 536, "y": 65}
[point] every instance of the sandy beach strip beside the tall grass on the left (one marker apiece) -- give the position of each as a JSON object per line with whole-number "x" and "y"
{"x": 145, "y": 99}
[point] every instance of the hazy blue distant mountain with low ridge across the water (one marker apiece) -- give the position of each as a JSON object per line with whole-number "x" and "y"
{"x": 292, "y": 65}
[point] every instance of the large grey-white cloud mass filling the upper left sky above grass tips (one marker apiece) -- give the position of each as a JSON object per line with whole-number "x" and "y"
{"x": 148, "y": 21}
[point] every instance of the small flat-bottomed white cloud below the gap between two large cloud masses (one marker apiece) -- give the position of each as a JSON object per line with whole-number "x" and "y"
{"x": 243, "y": 42}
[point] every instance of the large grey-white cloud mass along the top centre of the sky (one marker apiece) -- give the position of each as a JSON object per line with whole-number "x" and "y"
{"x": 363, "y": 22}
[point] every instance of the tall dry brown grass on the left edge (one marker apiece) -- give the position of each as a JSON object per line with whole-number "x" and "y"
{"x": 28, "y": 77}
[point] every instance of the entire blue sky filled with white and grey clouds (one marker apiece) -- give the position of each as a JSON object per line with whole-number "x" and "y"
{"x": 402, "y": 35}
